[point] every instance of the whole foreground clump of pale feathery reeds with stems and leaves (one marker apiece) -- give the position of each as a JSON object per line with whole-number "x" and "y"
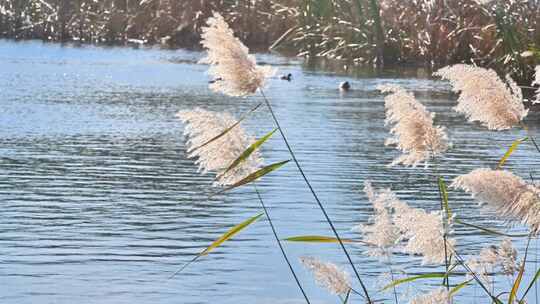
{"x": 220, "y": 145}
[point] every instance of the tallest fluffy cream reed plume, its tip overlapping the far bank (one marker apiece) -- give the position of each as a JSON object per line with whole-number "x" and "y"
{"x": 230, "y": 63}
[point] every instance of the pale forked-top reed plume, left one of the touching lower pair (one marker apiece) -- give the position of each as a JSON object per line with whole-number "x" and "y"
{"x": 381, "y": 233}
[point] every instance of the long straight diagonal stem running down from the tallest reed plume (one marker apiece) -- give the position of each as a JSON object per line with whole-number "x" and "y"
{"x": 342, "y": 245}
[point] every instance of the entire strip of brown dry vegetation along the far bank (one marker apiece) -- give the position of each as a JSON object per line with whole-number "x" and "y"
{"x": 503, "y": 35}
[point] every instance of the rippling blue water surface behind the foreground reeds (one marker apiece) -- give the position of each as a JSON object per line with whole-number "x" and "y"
{"x": 99, "y": 203}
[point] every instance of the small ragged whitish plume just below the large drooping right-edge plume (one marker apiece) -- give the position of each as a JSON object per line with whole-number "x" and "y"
{"x": 503, "y": 257}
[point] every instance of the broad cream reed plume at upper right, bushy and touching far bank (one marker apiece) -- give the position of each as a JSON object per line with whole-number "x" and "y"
{"x": 485, "y": 97}
